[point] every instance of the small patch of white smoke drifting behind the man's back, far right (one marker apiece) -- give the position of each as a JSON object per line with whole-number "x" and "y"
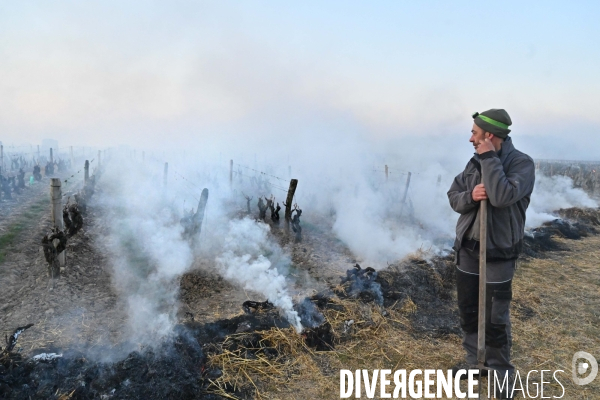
{"x": 551, "y": 194}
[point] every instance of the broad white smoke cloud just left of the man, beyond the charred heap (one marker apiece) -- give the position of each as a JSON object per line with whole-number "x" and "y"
{"x": 379, "y": 227}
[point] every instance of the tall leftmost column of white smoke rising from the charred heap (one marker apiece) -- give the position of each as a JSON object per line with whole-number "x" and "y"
{"x": 146, "y": 250}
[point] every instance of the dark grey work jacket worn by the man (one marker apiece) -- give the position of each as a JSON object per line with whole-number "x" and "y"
{"x": 508, "y": 181}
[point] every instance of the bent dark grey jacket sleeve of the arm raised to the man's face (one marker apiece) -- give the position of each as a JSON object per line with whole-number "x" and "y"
{"x": 504, "y": 189}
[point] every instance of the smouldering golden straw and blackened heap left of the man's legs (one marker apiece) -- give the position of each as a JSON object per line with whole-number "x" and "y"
{"x": 414, "y": 297}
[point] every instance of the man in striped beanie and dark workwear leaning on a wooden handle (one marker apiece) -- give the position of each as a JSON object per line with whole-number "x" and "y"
{"x": 508, "y": 178}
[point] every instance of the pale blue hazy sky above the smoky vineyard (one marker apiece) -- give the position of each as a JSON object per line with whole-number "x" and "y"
{"x": 138, "y": 72}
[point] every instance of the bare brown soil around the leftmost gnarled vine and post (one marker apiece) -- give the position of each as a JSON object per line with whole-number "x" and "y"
{"x": 77, "y": 310}
